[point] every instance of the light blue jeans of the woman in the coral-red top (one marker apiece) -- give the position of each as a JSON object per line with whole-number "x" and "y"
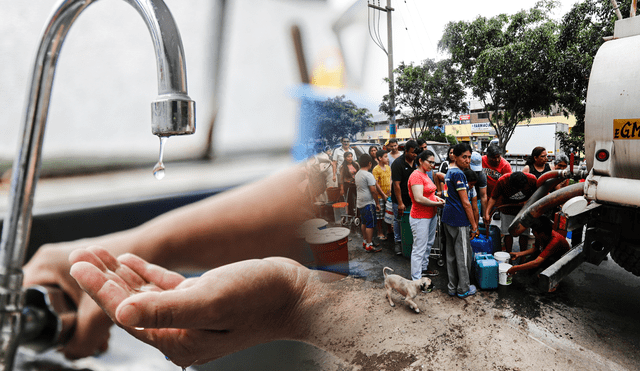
{"x": 424, "y": 235}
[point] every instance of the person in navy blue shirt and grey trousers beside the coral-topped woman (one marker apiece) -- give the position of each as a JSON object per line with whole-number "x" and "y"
{"x": 457, "y": 217}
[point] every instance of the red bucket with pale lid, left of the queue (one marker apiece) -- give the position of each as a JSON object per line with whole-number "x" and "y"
{"x": 330, "y": 250}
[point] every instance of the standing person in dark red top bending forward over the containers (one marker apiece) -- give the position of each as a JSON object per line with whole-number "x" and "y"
{"x": 510, "y": 193}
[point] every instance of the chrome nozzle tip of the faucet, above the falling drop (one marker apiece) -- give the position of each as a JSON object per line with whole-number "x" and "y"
{"x": 173, "y": 115}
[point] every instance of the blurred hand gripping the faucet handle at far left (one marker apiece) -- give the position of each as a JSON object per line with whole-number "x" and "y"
{"x": 50, "y": 266}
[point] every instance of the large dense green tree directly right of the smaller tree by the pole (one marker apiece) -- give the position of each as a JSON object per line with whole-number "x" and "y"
{"x": 507, "y": 62}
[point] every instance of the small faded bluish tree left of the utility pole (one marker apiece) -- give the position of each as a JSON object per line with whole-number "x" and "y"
{"x": 336, "y": 118}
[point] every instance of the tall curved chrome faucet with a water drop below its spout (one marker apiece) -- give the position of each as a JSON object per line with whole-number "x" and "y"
{"x": 173, "y": 113}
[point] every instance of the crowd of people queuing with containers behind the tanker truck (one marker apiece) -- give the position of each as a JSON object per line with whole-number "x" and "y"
{"x": 466, "y": 192}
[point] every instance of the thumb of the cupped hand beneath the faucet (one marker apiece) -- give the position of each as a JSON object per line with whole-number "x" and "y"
{"x": 166, "y": 309}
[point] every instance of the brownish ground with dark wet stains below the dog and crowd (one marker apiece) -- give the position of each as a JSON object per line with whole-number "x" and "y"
{"x": 481, "y": 332}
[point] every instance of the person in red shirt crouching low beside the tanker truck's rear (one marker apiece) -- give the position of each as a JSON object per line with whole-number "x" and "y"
{"x": 551, "y": 245}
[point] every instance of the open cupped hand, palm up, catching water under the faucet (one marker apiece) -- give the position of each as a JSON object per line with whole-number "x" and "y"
{"x": 196, "y": 320}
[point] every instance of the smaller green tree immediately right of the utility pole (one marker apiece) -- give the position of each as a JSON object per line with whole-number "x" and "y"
{"x": 425, "y": 94}
